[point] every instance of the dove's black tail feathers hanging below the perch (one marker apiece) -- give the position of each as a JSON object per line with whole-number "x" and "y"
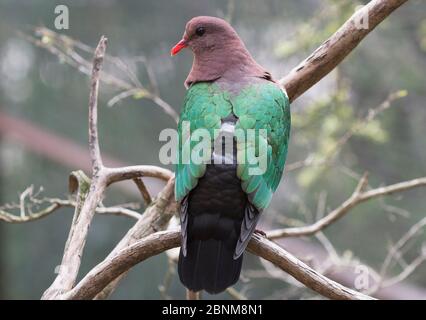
{"x": 209, "y": 265}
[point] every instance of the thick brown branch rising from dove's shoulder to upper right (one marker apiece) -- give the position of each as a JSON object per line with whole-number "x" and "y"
{"x": 337, "y": 47}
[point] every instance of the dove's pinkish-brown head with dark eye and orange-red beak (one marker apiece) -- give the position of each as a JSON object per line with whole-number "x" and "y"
{"x": 206, "y": 34}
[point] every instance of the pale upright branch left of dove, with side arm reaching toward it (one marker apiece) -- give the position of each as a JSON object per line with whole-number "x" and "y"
{"x": 101, "y": 178}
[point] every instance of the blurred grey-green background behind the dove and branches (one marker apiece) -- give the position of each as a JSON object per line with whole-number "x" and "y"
{"x": 43, "y": 92}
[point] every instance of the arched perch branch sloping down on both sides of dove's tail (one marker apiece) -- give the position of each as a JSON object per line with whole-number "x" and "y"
{"x": 109, "y": 269}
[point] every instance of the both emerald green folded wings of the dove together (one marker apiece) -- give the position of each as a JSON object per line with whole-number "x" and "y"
{"x": 257, "y": 106}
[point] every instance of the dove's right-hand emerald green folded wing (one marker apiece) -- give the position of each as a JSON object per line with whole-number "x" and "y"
{"x": 262, "y": 106}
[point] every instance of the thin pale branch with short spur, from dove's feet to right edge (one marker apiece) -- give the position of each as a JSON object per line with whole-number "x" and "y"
{"x": 359, "y": 196}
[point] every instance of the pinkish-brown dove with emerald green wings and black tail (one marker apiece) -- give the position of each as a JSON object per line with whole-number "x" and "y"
{"x": 221, "y": 197}
